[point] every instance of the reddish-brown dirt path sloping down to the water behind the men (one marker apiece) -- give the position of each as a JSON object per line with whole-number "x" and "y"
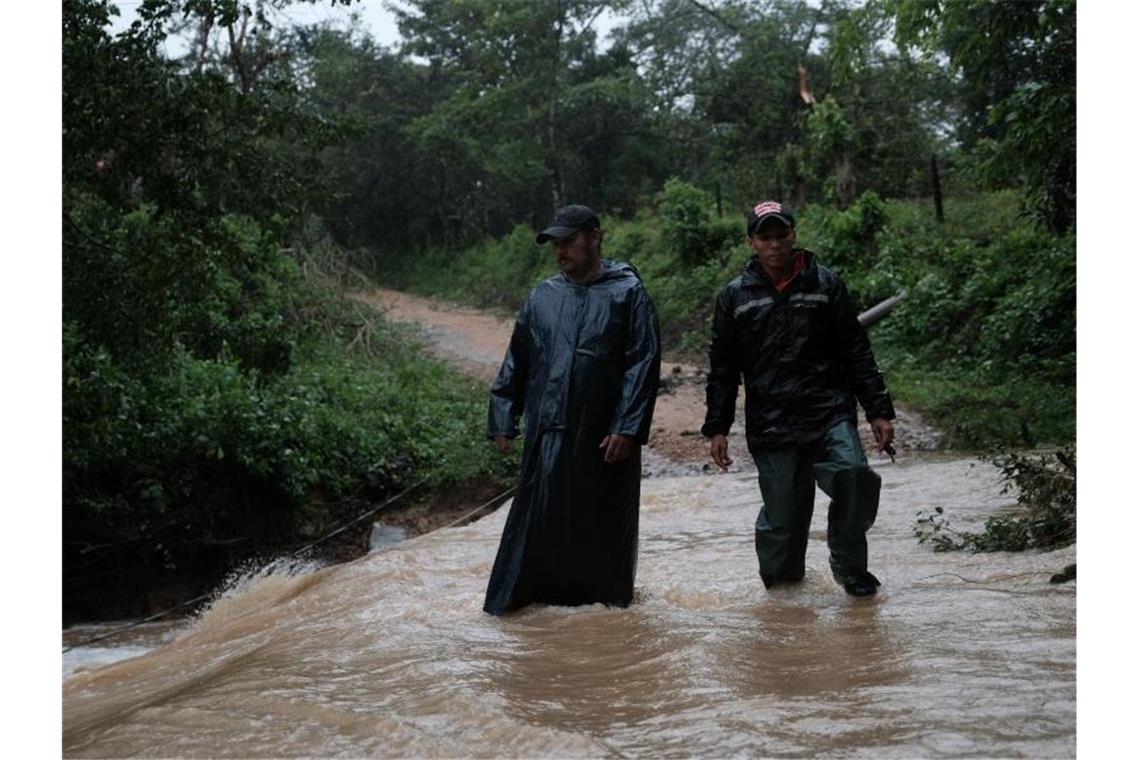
{"x": 475, "y": 342}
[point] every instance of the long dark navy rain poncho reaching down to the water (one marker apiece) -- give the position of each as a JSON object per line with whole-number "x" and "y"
{"x": 584, "y": 362}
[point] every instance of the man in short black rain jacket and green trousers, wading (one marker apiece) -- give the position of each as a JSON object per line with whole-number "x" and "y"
{"x": 787, "y": 325}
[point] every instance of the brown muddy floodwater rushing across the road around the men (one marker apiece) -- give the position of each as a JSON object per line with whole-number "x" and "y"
{"x": 392, "y": 656}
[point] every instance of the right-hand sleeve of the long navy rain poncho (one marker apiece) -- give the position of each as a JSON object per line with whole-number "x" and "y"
{"x": 634, "y": 413}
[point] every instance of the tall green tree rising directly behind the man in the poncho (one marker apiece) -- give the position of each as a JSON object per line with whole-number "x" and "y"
{"x": 503, "y": 130}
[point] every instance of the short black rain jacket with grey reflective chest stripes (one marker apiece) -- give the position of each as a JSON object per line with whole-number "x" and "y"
{"x": 803, "y": 355}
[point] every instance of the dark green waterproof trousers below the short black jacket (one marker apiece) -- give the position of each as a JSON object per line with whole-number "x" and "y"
{"x": 788, "y": 478}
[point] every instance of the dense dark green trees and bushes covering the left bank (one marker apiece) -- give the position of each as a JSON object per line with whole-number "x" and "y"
{"x": 221, "y": 399}
